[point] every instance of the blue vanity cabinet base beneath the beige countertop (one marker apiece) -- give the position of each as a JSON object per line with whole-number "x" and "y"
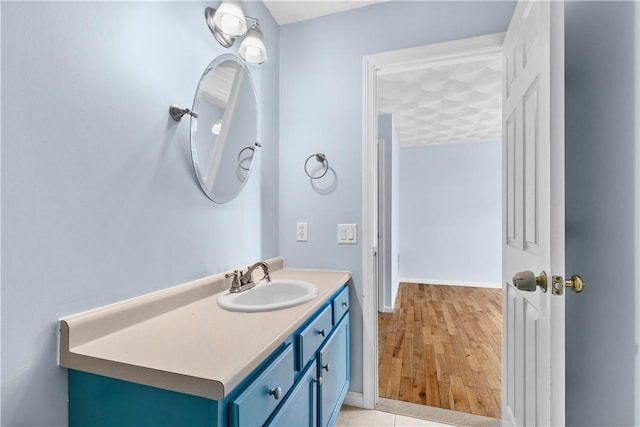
{"x": 302, "y": 383}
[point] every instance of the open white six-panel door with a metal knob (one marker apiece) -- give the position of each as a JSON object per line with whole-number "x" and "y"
{"x": 533, "y": 208}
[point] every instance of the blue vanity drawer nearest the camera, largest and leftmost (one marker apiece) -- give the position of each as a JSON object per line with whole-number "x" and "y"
{"x": 254, "y": 406}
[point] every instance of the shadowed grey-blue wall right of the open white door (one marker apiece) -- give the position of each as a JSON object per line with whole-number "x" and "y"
{"x": 601, "y": 218}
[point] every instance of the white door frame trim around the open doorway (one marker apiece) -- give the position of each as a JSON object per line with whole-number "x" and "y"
{"x": 374, "y": 65}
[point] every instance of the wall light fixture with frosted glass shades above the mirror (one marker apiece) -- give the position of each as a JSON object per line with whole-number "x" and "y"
{"x": 228, "y": 23}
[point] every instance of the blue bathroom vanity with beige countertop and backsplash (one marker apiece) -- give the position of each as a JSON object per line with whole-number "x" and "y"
{"x": 175, "y": 357}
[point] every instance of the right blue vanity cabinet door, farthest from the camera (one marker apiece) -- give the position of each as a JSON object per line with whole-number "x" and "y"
{"x": 333, "y": 368}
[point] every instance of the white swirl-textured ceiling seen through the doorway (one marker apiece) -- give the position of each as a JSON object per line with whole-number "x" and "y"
{"x": 444, "y": 104}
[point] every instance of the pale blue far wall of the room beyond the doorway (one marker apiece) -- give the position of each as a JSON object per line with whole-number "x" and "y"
{"x": 450, "y": 213}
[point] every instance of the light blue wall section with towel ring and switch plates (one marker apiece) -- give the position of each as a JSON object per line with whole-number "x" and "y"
{"x": 321, "y": 110}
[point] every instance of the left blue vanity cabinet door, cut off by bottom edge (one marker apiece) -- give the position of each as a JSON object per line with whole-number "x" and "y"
{"x": 300, "y": 408}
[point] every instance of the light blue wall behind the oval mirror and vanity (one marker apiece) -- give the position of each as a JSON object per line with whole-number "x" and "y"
{"x": 99, "y": 200}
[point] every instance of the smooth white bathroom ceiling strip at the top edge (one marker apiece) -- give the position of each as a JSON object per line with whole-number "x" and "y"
{"x": 289, "y": 11}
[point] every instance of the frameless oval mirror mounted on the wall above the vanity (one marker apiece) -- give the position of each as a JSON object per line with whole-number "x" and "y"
{"x": 223, "y": 135}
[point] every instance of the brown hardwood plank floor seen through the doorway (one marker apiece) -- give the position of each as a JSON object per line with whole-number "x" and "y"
{"x": 441, "y": 347}
